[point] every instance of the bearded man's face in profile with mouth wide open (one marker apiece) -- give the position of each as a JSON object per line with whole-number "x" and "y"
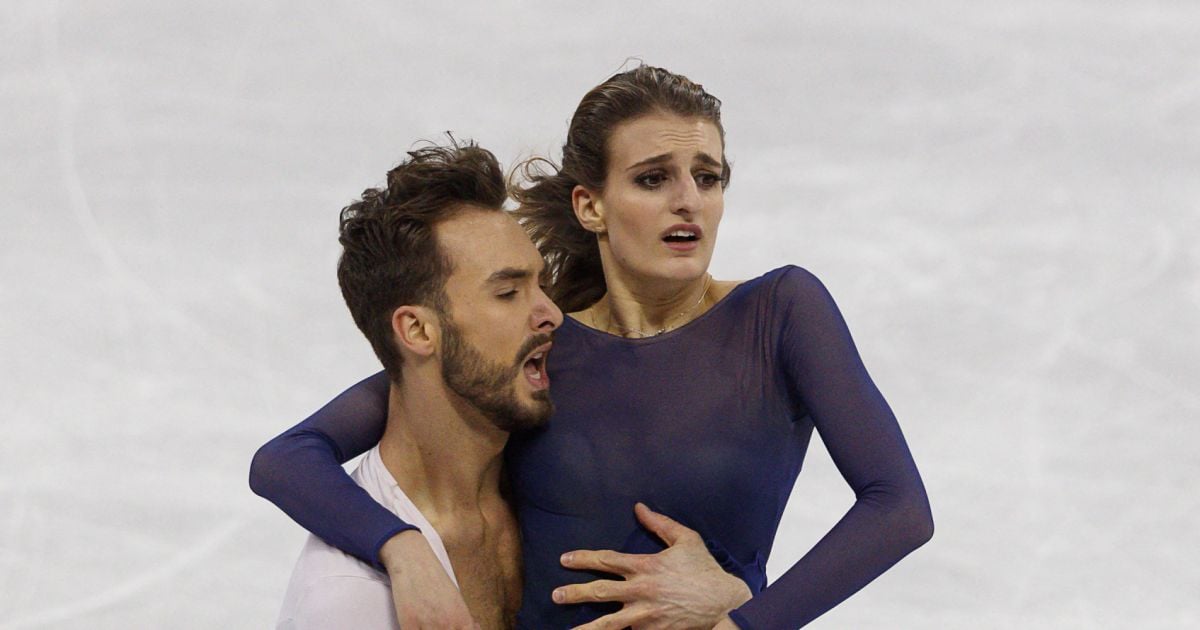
{"x": 497, "y": 332}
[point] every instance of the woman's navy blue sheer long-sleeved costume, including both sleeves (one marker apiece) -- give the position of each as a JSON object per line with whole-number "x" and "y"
{"x": 707, "y": 424}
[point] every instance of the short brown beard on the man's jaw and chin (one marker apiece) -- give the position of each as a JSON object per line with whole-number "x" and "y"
{"x": 491, "y": 387}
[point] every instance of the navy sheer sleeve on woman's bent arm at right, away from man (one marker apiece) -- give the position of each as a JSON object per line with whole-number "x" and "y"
{"x": 891, "y": 515}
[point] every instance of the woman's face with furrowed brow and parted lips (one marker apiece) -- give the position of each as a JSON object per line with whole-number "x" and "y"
{"x": 663, "y": 197}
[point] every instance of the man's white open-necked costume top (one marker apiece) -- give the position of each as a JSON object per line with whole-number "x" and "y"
{"x": 333, "y": 590}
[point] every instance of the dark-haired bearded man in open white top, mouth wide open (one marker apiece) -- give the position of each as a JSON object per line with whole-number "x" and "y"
{"x": 463, "y": 333}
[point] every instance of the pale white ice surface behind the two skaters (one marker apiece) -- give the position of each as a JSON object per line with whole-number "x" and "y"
{"x": 1005, "y": 199}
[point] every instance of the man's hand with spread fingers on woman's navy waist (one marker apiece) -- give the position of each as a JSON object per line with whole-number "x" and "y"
{"x": 679, "y": 587}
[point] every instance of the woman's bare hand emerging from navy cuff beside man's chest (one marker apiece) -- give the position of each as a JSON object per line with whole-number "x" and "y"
{"x": 422, "y": 591}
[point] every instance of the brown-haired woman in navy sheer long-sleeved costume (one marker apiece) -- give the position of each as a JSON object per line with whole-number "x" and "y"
{"x": 693, "y": 395}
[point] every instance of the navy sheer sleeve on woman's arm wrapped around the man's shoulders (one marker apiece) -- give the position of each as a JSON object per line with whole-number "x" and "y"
{"x": 301, "y": 472}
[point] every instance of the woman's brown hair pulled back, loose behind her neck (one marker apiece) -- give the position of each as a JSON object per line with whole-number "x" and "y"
{"x": 572, "y": 254}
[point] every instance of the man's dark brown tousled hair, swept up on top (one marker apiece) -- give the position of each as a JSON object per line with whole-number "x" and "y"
{"x": 389, "y": 255}
